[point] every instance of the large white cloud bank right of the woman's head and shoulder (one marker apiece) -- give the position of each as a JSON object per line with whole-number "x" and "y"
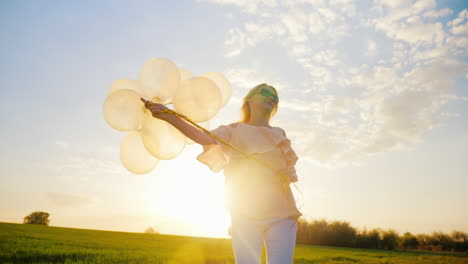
{"x": 394, "y": 111}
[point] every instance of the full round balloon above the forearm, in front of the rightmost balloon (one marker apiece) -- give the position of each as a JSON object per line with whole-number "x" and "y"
{"x": 198, "y": 98}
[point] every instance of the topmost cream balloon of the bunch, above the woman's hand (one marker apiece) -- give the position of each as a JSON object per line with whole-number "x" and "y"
{"x": 160, "y": 78}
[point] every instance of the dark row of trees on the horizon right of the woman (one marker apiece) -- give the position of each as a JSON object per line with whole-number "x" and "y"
{"x": 342, "y": 234}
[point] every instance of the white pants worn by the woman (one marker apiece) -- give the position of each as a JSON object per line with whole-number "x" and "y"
{"x": 248, "y": 237}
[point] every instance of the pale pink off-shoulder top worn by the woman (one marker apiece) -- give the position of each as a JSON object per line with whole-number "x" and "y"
{"x": 252, "y": 189}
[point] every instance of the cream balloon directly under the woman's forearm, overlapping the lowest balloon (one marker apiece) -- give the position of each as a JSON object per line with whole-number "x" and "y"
{"x": 161, "y": 139}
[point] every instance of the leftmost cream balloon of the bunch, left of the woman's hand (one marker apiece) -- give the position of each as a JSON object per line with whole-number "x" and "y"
{"x": 123, "y": 110}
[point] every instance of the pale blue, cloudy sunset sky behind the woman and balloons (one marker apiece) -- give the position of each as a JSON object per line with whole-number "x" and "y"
{"x": 373, "y": 95}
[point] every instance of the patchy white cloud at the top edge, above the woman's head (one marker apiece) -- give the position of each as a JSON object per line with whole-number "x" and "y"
{"x": 291, "y": 25}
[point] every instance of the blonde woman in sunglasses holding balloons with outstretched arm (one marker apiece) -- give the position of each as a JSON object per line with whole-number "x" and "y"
{"x": 259, "y": 197}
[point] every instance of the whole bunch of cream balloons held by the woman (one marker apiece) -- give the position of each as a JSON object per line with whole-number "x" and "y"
{"x": 161, "y": 81}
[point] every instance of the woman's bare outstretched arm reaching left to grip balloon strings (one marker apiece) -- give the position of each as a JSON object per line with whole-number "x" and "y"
{"x": 186, "y": 128}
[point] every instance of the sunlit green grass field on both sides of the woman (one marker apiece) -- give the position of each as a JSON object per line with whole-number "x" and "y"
{"x": 41, "y": 244}
